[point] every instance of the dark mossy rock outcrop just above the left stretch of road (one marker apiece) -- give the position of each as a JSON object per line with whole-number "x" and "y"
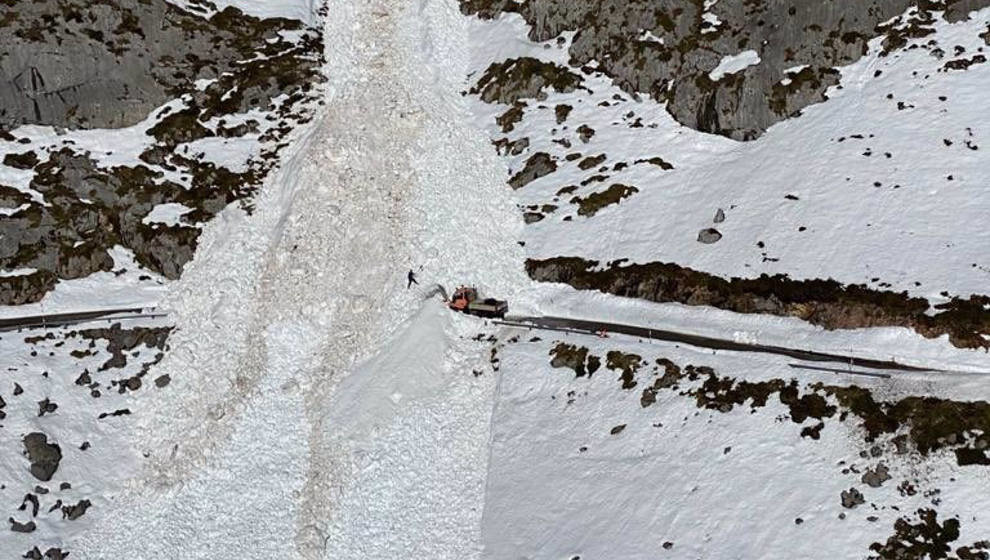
{"x": 89, "y": 211}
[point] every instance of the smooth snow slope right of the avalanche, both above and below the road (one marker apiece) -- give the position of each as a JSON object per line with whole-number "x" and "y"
{"x": 882, "y": 184}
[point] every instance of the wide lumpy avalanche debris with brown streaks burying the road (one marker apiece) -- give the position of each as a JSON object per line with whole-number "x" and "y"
{"x": 320, "y": 408}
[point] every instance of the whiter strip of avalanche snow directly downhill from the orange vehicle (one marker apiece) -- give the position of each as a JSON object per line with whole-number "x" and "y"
{"x": 411, "y": 428}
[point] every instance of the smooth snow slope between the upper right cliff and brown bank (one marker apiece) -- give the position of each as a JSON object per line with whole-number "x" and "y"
{"x": 859, "y": 231}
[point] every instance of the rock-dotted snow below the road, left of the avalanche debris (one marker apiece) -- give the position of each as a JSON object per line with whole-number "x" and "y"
{"x": 76, "y": 419}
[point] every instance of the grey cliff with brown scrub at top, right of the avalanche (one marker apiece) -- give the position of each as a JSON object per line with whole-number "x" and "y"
{"x": 798, "y": 44}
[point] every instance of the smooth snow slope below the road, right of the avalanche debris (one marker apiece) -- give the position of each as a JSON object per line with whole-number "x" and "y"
{"x": 716, "y": 485}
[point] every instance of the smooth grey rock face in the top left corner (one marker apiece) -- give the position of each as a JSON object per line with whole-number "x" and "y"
{"x": 107, "y": 64}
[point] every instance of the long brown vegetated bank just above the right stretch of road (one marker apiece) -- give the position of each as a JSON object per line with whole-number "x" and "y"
{"x": 826, "y": 303}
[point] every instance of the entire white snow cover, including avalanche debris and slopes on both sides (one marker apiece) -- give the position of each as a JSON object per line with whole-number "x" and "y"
{"x": 320, "y": 409}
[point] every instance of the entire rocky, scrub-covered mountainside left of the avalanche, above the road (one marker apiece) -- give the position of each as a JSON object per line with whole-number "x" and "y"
{"x": 73, "y": 63}
